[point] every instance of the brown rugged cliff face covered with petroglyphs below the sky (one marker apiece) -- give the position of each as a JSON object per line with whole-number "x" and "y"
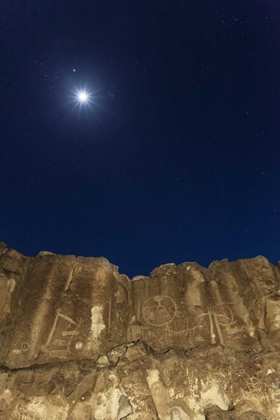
{"x": 81, "y": 341}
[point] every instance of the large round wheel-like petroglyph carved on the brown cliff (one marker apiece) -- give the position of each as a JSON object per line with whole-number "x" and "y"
{"x": 159, "y": 310}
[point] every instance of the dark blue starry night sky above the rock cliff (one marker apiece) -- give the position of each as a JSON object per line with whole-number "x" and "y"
{"x": 173, "y": 157}
